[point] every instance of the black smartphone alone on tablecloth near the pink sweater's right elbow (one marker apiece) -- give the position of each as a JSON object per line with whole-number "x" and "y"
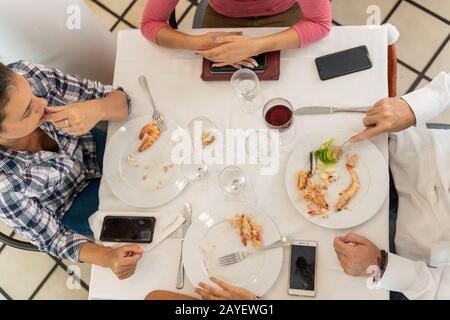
{"x": 343, "y": 62}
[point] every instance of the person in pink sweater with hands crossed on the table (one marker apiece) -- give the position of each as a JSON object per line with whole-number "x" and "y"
{"x": 309, "y": 21}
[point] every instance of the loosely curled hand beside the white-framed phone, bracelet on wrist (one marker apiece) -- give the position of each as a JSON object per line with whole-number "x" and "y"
{"x": 356, "y": 253}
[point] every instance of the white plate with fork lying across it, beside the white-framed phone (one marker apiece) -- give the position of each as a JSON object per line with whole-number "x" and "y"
{"x": 211, "y": 236}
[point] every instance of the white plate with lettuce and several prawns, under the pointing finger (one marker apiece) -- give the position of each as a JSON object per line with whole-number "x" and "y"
{"x": 373, "y": 174}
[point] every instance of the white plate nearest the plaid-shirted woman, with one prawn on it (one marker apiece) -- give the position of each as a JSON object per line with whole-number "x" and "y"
{"x": 155, "y": 180}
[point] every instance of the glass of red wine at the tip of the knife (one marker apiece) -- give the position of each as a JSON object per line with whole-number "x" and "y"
{"x": 279, "y": 115}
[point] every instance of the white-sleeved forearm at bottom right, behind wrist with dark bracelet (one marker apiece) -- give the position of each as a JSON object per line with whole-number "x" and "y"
{"x": 415, "y": 280}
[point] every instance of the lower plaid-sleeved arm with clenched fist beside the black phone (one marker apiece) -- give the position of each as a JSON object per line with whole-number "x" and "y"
{"x": 28, "y": 218}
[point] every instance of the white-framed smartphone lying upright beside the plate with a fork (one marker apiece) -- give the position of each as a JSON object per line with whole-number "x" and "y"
{"x": 302, "y": 274}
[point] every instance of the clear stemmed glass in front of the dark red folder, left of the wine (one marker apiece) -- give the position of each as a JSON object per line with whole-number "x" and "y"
{"x": 246, "y": 84}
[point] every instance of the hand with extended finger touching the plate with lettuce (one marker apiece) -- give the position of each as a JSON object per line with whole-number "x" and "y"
{"x": 387, "y": 115}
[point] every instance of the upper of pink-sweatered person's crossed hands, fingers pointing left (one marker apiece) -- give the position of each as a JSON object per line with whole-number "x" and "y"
{"x": 230, "y": 50}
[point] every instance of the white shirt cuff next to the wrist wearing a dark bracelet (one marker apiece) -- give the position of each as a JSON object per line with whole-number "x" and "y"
{"x": 399, "y": 274}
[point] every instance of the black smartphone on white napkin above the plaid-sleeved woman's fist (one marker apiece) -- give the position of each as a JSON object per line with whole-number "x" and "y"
{"x": 128, "y": 229}
